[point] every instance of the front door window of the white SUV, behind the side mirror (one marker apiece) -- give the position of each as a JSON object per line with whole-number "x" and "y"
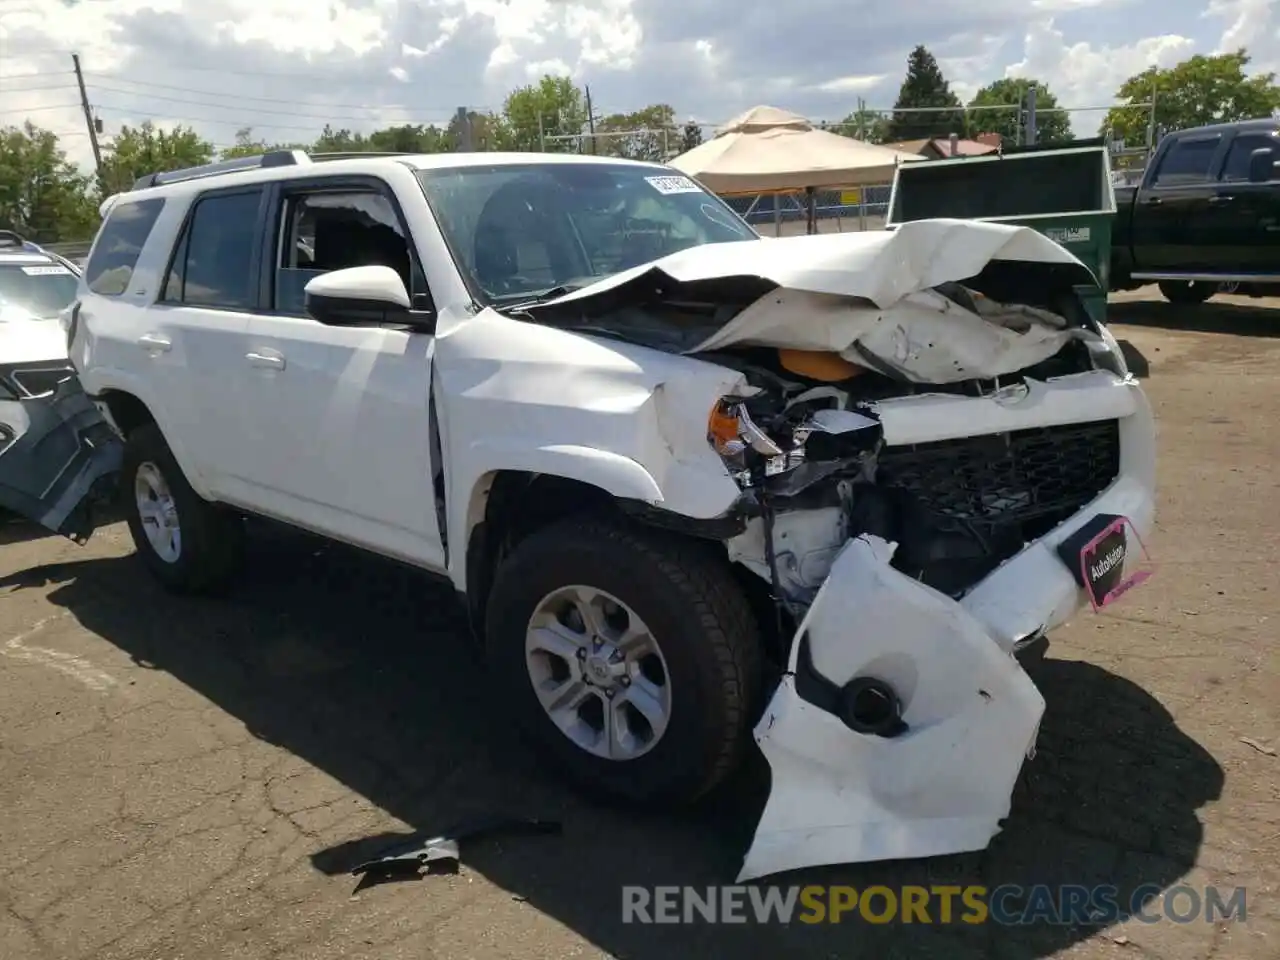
{"x": 336, "y": 230}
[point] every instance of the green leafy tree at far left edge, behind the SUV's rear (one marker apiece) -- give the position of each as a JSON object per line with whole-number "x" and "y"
{"x": 43, "y": 196}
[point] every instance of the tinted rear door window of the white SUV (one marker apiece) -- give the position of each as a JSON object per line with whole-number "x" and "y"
{"x": 213, "y": 264}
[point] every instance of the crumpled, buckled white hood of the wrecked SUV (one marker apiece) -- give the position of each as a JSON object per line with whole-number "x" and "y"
{"x": 867, "y": 296}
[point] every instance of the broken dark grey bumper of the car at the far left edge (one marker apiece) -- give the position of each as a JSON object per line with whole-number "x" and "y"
{"x": 60, "y": 459}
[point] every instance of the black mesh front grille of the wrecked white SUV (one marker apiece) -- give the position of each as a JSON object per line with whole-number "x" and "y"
{"x": 1022, "y": 483}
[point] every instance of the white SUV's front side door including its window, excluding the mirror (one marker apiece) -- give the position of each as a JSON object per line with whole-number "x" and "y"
{"x": 341, "y": 415}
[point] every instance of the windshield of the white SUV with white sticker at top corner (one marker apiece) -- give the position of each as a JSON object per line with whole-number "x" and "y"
{"x": 519, "y": 231}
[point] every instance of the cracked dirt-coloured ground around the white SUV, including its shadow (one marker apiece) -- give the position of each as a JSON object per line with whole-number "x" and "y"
{"x": 189, "y": 779}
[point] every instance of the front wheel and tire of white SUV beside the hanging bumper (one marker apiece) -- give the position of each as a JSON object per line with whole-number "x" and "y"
{"x": 630, "y": 657}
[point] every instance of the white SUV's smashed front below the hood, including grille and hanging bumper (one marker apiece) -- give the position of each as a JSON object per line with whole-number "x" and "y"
{"x": 917, "y": 536}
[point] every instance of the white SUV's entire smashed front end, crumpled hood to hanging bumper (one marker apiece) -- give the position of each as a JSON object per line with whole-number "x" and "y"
{"x": 941, "y": 458}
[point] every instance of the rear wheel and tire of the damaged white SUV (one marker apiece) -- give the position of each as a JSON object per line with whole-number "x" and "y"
{"x": 190, "y": 545}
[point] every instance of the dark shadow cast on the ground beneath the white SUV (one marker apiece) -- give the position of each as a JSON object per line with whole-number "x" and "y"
{"x": 358, "y": 668}
